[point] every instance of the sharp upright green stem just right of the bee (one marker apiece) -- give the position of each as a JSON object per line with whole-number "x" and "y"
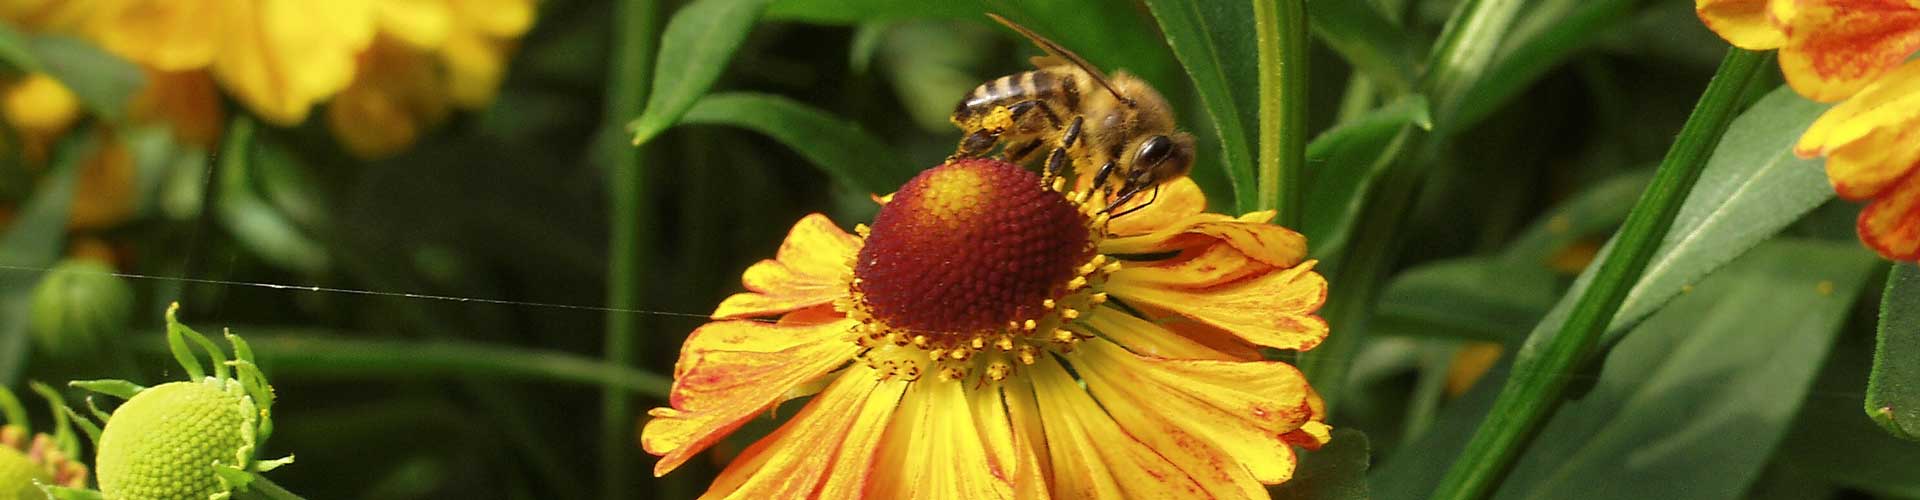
{"x": 1282, "y": 34}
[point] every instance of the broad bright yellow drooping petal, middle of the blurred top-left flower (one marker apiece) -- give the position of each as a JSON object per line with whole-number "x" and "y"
{"x": 287, "y": 55}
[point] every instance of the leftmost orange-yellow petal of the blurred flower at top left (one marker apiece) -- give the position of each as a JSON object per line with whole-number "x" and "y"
{"x": 170, "y": 36}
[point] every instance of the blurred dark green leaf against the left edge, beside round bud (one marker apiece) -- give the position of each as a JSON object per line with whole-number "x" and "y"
{"x": 30, "y": 245}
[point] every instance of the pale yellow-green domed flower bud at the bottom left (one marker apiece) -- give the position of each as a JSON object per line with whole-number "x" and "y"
{"x": 168, "y": 441}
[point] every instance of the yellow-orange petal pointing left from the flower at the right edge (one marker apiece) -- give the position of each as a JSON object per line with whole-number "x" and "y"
{"x": 1894, "y": 101}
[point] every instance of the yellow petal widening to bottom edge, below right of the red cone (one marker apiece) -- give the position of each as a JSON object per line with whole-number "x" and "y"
{"x": 1092, "y": 457}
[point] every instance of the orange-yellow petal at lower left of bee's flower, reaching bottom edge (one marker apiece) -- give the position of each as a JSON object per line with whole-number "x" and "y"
{"x": 821, "y": 451}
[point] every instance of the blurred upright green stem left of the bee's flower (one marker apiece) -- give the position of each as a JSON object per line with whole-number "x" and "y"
{"x": 631, "y": 245}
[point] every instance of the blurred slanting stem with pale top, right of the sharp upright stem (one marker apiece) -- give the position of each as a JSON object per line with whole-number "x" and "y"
{"x": 1464, "y": 53}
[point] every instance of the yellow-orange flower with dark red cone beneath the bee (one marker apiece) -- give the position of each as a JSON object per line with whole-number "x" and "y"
{"x": 996, "y": 337}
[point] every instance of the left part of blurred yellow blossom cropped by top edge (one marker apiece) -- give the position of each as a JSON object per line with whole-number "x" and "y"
{"x": 277, "y": 57}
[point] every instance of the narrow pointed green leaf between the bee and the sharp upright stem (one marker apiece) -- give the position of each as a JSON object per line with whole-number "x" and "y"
{"x": 1214, "y": 41}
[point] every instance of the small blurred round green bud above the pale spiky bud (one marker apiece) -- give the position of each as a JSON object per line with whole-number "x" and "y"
{"x": 78, "y": 309}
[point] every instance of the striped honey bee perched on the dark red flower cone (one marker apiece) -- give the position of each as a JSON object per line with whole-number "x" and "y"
{"x": 1124, "y": 126}
